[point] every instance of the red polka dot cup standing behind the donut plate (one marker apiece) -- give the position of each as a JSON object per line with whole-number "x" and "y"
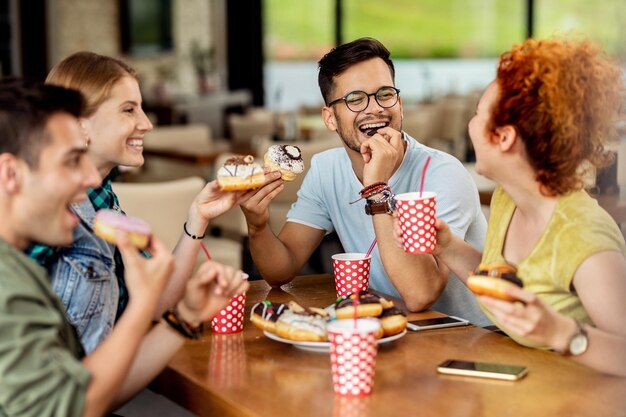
{"x": 352, "y": 272}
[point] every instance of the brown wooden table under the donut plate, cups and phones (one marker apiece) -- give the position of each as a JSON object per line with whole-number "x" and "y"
{"x": 248, "y": 374}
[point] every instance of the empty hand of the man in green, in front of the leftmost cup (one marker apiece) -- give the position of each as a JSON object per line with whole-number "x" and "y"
{"x": 210, "y": 290}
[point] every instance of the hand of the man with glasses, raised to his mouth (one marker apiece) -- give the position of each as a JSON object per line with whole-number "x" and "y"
{"x": 382, "y": 153}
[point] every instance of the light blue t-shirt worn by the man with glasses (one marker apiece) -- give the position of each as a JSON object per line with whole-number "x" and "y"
{"x": 331, "y": 184}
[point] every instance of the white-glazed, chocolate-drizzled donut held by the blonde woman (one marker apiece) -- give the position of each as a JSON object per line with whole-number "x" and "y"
{"x": 240, "y": 173}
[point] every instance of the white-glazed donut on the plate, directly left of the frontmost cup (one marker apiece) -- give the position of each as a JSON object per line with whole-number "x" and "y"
{"x": 302, "y": 324}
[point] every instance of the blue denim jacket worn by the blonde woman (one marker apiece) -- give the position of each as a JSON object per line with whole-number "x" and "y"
{"x": 84, "y": 278}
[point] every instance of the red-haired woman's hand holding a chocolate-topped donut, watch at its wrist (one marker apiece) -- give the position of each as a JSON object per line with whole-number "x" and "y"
{"x": 531, "y": 318}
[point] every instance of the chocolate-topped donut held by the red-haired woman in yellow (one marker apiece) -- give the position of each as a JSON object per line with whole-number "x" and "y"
{"x": 492, "y": 280}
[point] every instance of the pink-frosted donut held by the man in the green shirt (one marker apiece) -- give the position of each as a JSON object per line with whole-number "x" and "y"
{"x": 108, "y": 222}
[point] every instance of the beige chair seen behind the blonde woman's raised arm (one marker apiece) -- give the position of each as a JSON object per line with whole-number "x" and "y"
{"x": 164, "y": 205}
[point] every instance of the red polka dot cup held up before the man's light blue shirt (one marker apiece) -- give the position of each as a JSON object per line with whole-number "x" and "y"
{"x": 417, "y": 221}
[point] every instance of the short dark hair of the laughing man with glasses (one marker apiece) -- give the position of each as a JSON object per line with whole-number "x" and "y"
{"x": 344, "y": 56}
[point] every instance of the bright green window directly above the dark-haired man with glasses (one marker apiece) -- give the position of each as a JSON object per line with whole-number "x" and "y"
{"x": 438, "y": 28}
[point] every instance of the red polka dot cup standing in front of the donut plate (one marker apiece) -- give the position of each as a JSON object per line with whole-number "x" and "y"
{"x": 353, "y": 355}
